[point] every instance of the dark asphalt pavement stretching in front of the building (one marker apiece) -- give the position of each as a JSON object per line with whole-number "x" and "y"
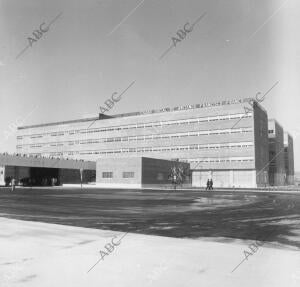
{"x": 227, "y": 215}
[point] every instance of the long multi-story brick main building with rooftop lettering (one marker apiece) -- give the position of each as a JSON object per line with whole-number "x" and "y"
{"x": 223, "y": 140}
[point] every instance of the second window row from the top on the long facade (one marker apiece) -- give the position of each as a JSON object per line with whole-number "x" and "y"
{"x": 145, "y": 137}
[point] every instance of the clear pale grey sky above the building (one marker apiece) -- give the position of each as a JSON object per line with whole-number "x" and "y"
{"x": 96, "y": 48}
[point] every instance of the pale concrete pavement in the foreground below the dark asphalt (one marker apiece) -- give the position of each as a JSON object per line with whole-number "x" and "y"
{"x": 39, "y": 254}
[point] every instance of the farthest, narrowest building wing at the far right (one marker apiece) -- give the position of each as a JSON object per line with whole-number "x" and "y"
{"x": 289, "y": 158}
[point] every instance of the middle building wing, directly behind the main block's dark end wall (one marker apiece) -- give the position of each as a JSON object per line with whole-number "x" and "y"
{"x": 276, "y": 153}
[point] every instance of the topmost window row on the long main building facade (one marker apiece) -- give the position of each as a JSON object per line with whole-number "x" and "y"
{"x": 144, "y": 125}
